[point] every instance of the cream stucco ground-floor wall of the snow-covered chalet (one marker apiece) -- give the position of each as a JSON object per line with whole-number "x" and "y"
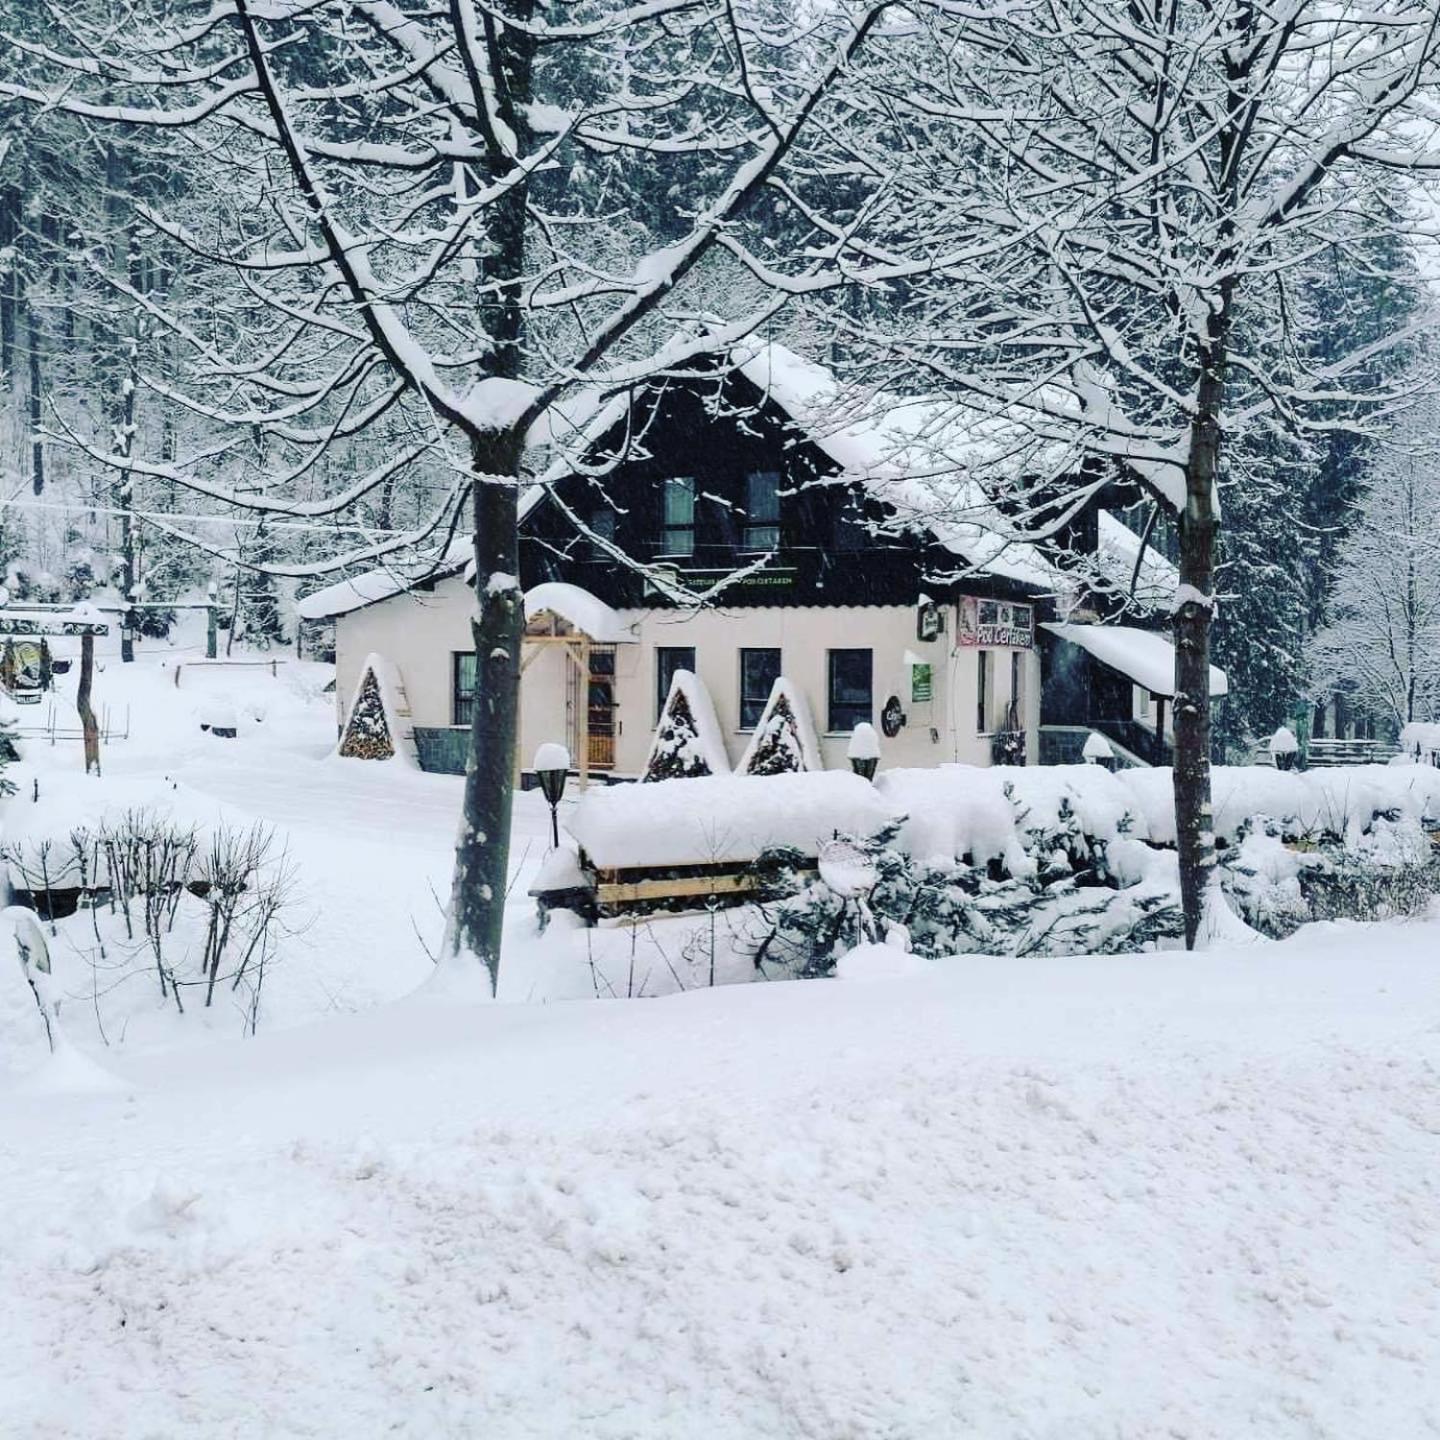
{"x": 421, "y": 633}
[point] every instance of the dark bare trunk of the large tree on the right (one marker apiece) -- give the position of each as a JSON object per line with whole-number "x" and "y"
{"x": 1194, "y": 611}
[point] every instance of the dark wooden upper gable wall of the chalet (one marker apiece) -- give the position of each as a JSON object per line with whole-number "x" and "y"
{"x": 718, "y": 434}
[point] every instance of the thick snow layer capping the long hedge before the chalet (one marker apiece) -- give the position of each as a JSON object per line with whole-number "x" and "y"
{"x": 1014, "y": 816}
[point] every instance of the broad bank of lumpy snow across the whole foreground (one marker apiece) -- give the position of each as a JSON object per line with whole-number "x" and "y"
{"x": 1125, "y": 1197}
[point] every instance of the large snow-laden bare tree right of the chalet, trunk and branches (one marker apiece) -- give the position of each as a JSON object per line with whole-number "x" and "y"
{"x": 1097, "y": 222}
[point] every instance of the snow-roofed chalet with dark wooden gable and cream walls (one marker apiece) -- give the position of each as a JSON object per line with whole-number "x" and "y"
{"x": 853, "y": 559}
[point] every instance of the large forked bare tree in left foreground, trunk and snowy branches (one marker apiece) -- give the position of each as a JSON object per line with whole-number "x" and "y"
{"x": 410, "y": 214}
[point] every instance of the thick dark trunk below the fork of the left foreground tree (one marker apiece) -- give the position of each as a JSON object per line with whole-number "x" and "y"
{"x": 483, "y": 850}
